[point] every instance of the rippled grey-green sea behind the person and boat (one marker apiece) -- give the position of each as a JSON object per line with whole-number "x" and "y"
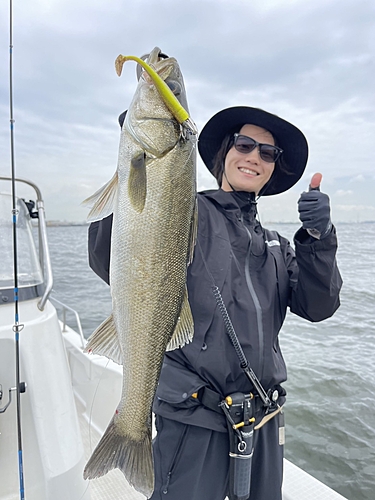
{"x": 330, "y": 409}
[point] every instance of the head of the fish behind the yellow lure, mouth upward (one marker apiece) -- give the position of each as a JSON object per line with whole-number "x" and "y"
{"x": 148, "y": 120}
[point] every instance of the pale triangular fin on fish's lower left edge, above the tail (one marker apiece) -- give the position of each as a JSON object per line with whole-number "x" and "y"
{"x": 104, "y": 341}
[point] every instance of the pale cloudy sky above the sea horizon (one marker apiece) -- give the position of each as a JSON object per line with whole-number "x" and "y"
{"x": 310, "y": 61}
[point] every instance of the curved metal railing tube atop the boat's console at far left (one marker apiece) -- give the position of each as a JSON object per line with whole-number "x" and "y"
{"x": 44, "y": 257}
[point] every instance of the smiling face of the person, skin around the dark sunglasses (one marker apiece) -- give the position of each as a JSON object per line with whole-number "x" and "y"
{"x": 248, "y": 172}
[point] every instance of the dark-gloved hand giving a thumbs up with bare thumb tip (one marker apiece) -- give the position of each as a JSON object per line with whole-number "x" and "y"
{"x": 314, "y": 210}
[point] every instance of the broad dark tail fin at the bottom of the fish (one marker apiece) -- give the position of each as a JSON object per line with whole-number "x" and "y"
{"x": 133, "y": 458}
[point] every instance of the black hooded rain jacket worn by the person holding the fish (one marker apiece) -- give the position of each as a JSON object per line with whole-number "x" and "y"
{"x": 259, "y": 275}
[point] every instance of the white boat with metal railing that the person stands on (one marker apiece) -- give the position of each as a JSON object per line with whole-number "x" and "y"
{"x": 67, "y": 397}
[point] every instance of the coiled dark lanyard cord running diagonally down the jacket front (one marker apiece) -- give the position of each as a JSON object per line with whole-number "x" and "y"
{"x": 233, "y": 337}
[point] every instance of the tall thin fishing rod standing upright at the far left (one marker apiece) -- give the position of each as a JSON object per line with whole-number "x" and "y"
{"x": 17, "y": 326}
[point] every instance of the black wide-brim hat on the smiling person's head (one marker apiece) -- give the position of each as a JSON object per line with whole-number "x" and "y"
{"x": 288, "y": 137}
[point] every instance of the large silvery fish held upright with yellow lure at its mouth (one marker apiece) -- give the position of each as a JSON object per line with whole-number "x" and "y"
{"x": 153, "y": 200}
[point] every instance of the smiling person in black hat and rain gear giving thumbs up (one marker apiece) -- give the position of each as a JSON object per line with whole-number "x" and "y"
{"x": 250, "y": 275}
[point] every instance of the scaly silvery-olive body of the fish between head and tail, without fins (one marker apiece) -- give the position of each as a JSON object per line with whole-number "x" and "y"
{"x": 148, "y": 300}
